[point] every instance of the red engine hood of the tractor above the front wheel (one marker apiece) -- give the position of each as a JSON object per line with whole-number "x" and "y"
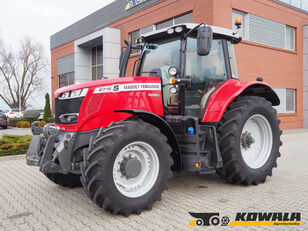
{"x": 97, "y": 110}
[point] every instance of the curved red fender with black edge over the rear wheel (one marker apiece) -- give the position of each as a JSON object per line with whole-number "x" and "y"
{"x": 232, "y": 88}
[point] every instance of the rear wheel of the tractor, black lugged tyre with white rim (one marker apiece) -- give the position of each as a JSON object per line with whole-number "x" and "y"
{"x": 249, "y": 140}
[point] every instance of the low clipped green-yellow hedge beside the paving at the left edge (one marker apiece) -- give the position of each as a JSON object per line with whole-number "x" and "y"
{"x": 14, "y": 145}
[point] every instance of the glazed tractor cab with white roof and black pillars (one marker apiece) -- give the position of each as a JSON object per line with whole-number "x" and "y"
{"x": 191, "y": 60}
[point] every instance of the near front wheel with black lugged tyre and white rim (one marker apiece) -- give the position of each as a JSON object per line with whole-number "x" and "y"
{"x": 127, "y": 167}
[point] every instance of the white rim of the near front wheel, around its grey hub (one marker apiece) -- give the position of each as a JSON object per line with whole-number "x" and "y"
{"x": 142, "y": 183}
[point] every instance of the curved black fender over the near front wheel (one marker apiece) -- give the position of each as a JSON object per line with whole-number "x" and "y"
{"x": 165, "y": 128}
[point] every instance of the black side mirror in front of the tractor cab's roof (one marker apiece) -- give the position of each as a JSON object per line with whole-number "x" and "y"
{"x": 204, "y": 40}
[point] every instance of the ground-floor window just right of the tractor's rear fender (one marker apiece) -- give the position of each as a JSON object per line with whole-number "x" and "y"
{"x": 287, "y": 100}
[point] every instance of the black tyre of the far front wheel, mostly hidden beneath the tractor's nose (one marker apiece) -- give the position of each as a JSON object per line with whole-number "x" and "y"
{"x": 66, "y": 180}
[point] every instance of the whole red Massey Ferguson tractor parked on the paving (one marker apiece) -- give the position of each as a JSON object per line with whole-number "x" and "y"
{"x": 184, "y": 109}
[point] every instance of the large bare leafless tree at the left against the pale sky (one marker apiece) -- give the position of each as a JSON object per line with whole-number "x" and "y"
{"x": 21, "y": 72}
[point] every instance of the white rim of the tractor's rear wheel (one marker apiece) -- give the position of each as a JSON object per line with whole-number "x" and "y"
{"x": 256, "y": 141}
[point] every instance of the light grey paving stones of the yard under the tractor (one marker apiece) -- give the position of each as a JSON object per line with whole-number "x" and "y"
{"x": 29, "y": 201}
